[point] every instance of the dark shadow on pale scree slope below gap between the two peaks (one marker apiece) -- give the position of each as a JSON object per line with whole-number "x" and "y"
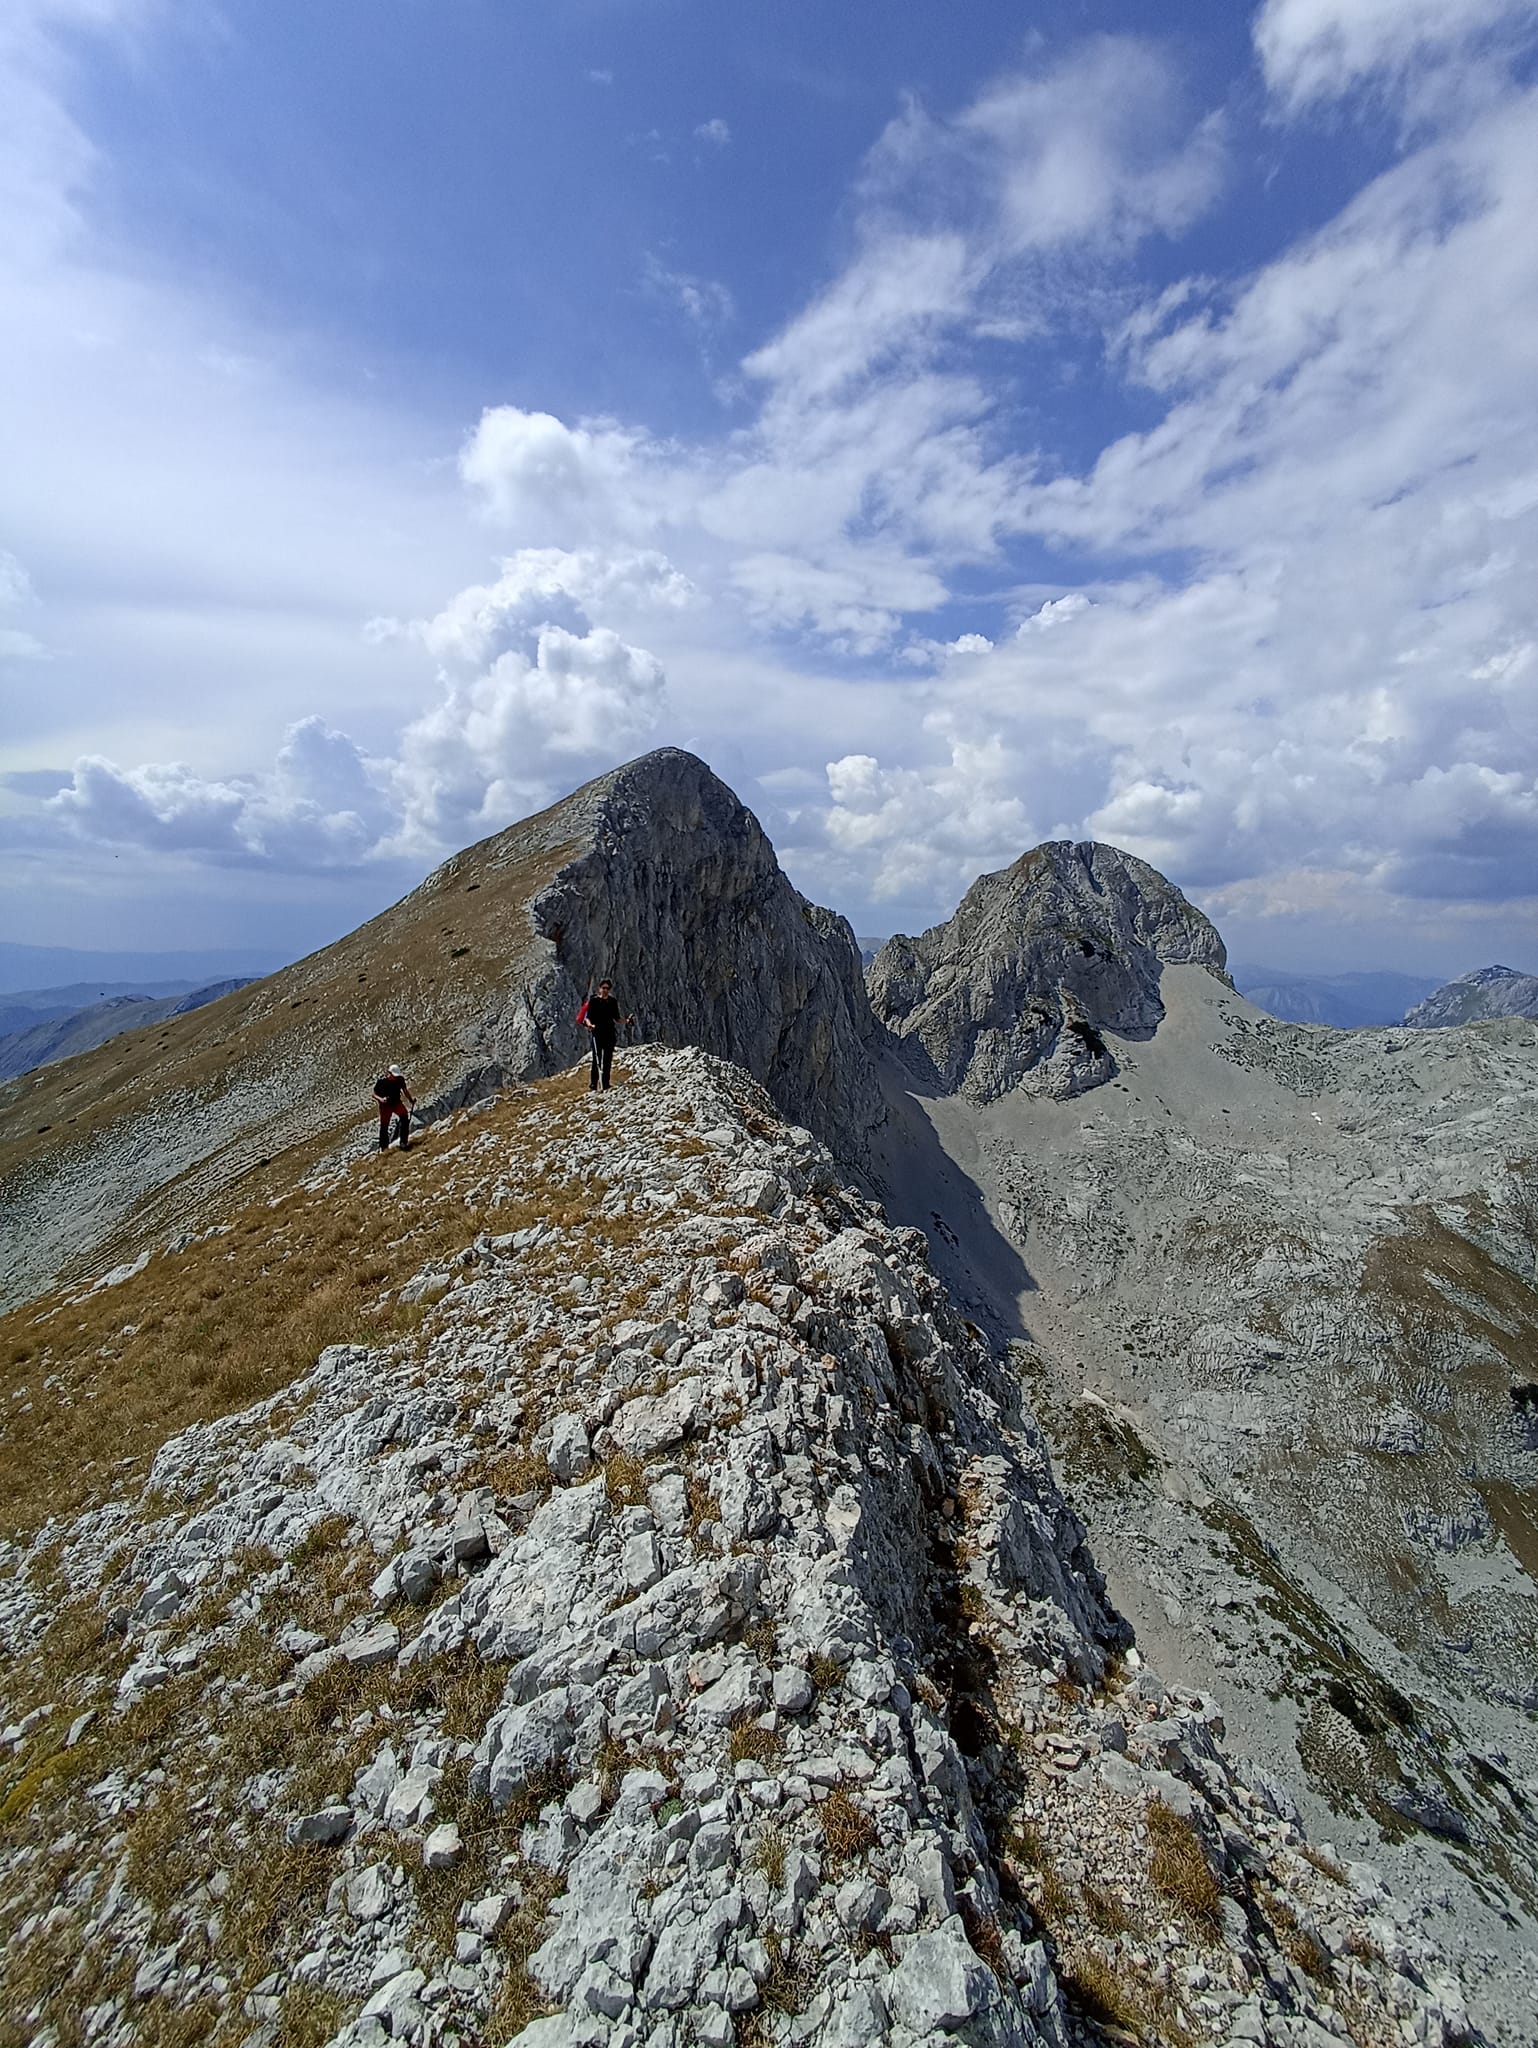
{"x": 927, "y": 1187}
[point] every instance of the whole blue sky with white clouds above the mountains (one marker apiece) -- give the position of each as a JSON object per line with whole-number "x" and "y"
{"x": 966, "y": 425}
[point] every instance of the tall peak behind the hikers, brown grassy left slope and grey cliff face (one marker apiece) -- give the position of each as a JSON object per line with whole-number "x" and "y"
{"x": 654, "y": 873}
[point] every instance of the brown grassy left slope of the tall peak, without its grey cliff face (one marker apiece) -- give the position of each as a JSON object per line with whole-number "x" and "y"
{"x": 290, "y": 1058}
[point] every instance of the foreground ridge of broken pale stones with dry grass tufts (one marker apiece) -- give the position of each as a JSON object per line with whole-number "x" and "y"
{"x": 677, "y": 1637}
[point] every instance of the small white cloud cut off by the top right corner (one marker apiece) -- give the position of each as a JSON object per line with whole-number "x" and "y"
{"x": 1320, "y": 50}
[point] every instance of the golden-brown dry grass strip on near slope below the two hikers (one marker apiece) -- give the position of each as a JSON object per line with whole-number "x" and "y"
{"x": 237, "y": 1318}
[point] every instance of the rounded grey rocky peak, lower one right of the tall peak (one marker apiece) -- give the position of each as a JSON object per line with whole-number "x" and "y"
{"x": 1037, "y": 964}
